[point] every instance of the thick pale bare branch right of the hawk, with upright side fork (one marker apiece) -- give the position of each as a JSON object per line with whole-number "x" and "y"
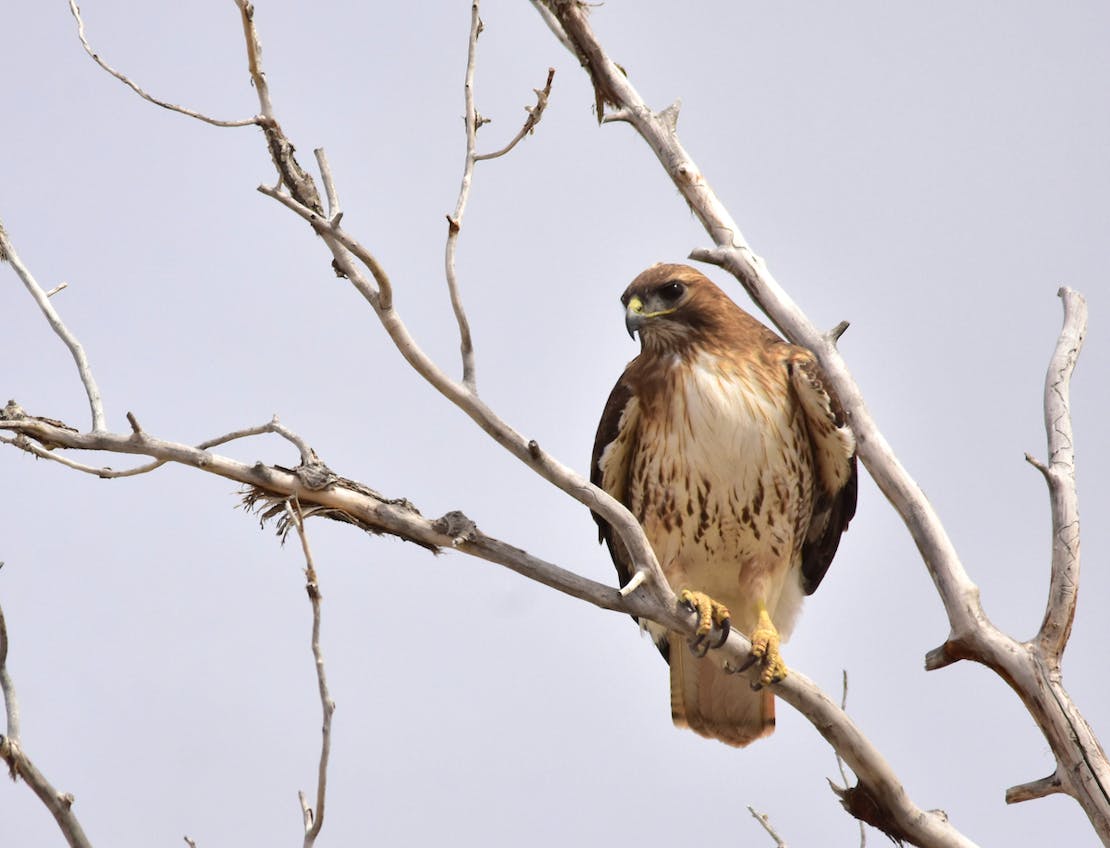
{"x": 1033, "y": 670}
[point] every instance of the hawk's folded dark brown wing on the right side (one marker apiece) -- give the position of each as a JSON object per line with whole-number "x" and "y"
{"x": 834, "y": 467}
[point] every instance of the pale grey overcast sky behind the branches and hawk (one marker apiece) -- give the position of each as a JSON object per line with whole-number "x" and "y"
{"x": 931, "y": 173}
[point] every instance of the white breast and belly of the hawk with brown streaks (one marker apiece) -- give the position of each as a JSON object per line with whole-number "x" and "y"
{"x": 725, "y": 503}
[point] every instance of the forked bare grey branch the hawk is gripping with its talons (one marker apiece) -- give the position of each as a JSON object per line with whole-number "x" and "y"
{"x": 652, "y": 599}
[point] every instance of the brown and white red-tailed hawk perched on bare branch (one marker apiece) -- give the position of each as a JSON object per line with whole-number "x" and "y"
{"x": 730, "y": 449}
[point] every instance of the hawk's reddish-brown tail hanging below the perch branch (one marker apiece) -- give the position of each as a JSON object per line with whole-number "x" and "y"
{"x": 717, "y": 704}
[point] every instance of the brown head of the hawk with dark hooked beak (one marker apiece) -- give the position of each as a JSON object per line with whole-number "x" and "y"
{"x": 674, "y": 307}
